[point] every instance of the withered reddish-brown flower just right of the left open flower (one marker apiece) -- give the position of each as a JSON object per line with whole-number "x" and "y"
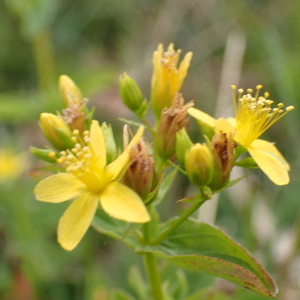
{"x": 139, "y": 175}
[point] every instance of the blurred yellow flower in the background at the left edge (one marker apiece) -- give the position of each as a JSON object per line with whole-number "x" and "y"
{"x": 11, "y": 165}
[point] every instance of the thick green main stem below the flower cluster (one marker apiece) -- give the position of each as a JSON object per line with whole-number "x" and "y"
{"x": 151, "y": 267}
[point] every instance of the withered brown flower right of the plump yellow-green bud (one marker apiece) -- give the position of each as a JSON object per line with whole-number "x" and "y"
{"x": 223, "y": 158}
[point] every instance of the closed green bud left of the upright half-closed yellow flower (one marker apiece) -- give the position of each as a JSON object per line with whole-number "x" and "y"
{"x": 130, "y": 93}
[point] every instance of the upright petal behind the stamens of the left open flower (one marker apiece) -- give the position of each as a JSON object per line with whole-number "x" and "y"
{"x": 97, "y": 143}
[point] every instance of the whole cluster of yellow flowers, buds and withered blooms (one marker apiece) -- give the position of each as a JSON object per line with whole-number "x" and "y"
{"x": 92, "y": 171}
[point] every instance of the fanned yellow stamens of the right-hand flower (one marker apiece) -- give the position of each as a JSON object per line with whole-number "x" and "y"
{"x": 254, "y": 114}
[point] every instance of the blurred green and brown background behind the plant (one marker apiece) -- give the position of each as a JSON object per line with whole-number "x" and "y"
{"x": 245, "y": 43}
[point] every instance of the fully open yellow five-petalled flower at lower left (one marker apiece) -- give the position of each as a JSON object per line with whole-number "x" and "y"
{"x": 89, "y": 178}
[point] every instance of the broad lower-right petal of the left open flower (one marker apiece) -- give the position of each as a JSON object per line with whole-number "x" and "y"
{"x": 122, "y": 203}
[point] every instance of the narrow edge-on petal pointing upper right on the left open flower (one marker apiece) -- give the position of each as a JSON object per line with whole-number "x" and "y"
{"x": 114, "y": 169}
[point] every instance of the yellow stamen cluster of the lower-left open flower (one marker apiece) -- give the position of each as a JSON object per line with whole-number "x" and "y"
{"x": 81, "y": 162}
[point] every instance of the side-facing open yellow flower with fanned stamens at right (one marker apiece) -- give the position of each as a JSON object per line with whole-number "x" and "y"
{"x": 254, "y": 116}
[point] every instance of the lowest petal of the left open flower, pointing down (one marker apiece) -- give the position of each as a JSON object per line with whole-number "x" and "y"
{"x": 76, "y": 220}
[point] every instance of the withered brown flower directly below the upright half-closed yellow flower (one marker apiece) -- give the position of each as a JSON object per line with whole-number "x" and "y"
{"x": 171, "y": 121}
